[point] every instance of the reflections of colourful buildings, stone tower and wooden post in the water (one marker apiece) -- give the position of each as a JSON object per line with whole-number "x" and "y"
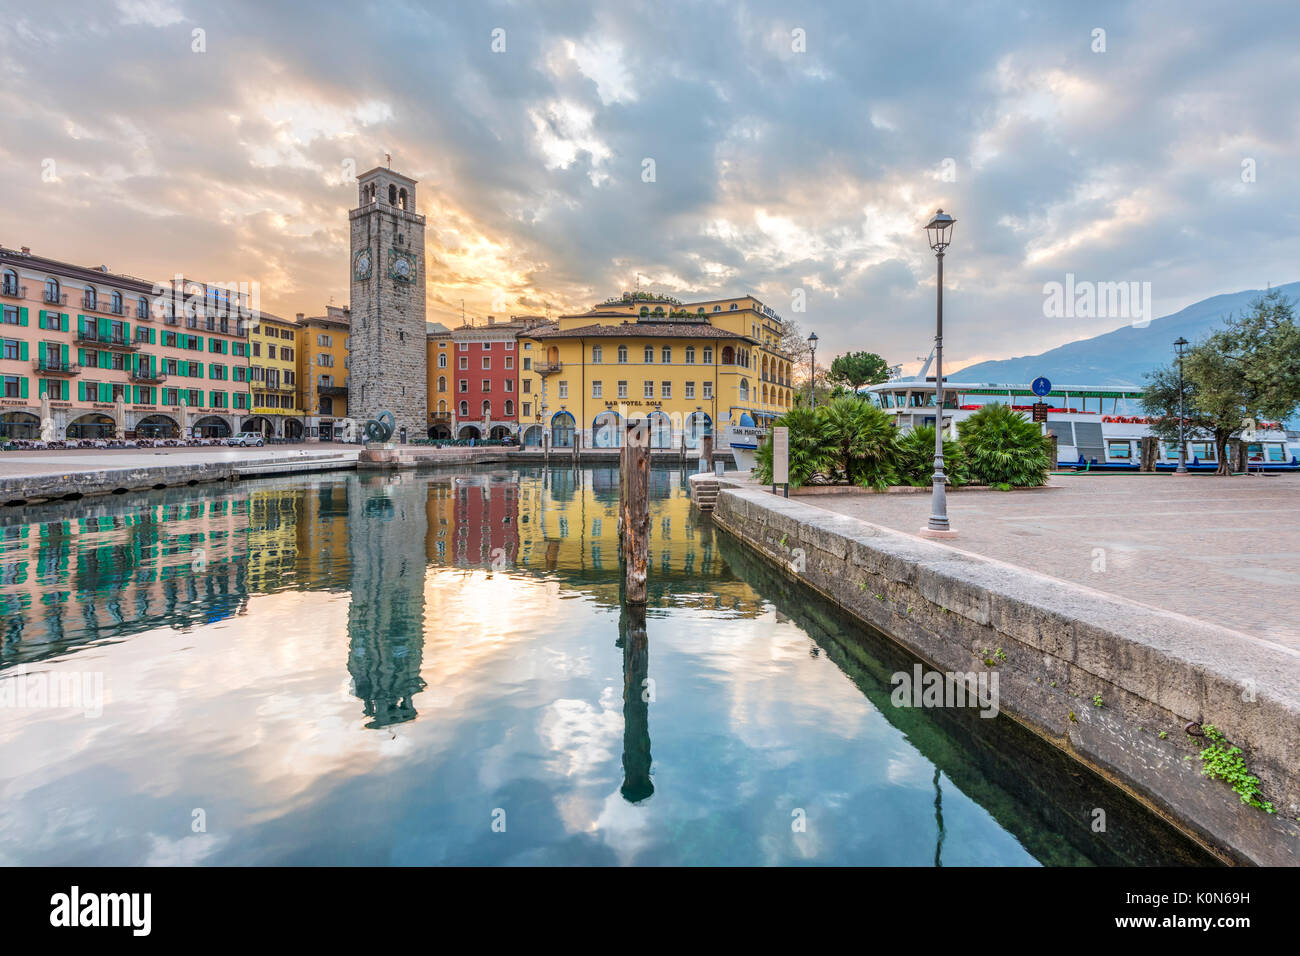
{"x": 105, "y": 569}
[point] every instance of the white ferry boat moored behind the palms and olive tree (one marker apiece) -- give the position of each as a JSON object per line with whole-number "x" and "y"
{"x": 1097, "y": 429}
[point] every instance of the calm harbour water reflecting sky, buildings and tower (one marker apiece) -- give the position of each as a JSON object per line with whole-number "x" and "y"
{"x": 436, "y": 671}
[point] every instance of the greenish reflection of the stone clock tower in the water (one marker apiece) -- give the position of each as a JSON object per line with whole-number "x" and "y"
{"x": 385, "y": 618}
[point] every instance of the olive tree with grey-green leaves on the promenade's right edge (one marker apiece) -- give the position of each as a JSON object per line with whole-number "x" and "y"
{"x": 1246, "y": 373}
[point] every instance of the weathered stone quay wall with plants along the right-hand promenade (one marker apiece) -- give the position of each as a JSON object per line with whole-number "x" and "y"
{"x": 1056, "y": 646}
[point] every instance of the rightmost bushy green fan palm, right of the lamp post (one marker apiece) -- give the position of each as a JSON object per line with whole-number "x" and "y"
{"x": 1004, "y": 449}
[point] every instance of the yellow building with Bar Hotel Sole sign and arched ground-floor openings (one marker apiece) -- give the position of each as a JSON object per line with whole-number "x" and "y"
{"x": 687, "y": 369}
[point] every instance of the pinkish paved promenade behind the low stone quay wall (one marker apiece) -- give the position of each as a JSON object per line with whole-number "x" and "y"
{"x": 1220, "y": 550}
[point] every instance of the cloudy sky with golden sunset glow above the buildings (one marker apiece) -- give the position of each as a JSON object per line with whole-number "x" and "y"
{"x": 795, "y": 146}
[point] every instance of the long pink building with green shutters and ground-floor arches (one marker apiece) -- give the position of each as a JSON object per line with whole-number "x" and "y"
{"x": 86, "y": 353}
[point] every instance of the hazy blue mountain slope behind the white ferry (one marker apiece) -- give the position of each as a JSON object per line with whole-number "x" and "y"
{"x": 1121, "y": 357}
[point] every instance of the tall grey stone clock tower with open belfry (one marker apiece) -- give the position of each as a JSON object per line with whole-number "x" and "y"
{"x": 388, "y": 364}
